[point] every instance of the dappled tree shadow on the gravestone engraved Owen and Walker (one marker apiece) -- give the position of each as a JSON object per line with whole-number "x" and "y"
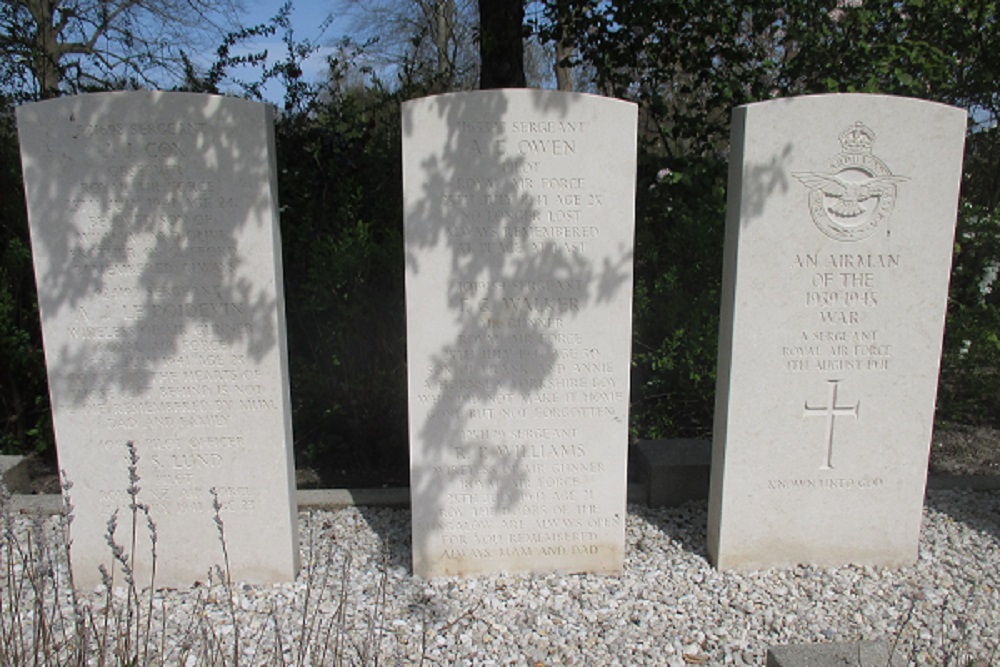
{"x": 477, "y": 230}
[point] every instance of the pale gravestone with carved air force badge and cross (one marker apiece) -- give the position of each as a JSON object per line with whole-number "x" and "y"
{"x": 841, "y": 217}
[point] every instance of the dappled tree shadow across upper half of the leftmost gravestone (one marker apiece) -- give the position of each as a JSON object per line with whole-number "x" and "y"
{"x": 151, "y": 254}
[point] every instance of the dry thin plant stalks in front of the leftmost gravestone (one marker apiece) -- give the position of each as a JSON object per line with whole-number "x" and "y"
{"x": 46, "y": 621}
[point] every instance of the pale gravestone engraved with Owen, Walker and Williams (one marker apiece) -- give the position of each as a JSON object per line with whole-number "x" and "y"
{"x": 519, "y": 219}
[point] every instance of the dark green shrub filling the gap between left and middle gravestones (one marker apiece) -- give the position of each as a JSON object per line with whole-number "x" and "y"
{"x": 339, "y": 179}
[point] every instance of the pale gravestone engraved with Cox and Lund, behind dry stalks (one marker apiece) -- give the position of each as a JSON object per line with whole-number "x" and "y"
{"x": 154, "y": 231}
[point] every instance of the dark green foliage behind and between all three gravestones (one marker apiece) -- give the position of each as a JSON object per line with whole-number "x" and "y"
{"x": 687, "y": 63}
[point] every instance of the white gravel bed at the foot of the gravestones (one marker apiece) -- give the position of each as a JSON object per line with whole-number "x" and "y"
{"x": 356, "y": 602}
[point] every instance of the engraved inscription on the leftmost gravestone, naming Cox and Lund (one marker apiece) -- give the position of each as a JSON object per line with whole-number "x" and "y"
{"x": 147, "y": 208}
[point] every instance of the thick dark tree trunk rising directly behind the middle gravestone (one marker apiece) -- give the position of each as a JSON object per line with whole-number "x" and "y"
{"x": 501, "y": 44}
